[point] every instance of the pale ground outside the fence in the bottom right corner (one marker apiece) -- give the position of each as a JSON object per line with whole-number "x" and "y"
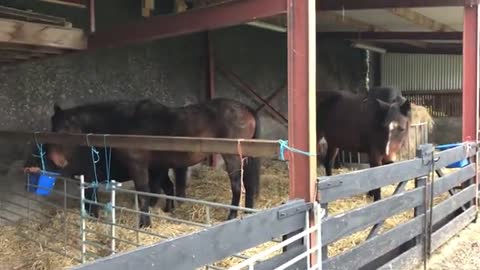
{"x": 460, "y": 252}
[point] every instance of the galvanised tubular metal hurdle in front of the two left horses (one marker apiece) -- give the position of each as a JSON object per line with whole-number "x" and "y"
{"x": 65, "y": 226}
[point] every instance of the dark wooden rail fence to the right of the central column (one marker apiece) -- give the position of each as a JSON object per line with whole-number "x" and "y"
{"x": 372, "y": 253}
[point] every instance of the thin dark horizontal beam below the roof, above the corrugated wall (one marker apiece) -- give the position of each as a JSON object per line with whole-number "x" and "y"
{"x": 393, "y": 35}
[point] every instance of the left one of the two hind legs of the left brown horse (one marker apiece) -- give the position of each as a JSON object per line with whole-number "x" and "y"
{"x": 233, "y": 167}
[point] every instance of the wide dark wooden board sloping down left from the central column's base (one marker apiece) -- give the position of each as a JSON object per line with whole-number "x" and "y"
{"x": 210, "y": 245}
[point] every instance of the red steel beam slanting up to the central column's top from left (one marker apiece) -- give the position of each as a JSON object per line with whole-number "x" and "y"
{"x": 203, "y": 19}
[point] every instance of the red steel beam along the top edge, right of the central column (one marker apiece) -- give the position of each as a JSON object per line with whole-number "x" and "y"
{"x": 382, "y": 4}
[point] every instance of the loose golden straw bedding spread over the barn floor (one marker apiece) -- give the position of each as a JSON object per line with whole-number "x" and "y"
{"x": 205, "y": 183}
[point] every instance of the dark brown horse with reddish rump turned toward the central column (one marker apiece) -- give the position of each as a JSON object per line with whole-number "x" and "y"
{"x": 219, "y": 118}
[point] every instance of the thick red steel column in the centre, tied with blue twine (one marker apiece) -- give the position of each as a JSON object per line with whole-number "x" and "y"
{"x": 301, "y": 97}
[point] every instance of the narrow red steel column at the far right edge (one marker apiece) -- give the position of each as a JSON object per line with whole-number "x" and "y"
{"x": 470, "y": 70}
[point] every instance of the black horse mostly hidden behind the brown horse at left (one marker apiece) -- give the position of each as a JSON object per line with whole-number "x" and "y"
{"x": 104, "y": 118}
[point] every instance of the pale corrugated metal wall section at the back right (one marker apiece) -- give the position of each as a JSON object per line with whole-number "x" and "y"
{"x": 410, "y": 72}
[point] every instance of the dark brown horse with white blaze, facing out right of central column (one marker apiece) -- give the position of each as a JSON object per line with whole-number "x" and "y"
{"x": 360, "y": 123}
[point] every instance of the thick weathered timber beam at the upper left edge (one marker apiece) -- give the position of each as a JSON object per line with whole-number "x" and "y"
{"x": 36, "y": 34}
